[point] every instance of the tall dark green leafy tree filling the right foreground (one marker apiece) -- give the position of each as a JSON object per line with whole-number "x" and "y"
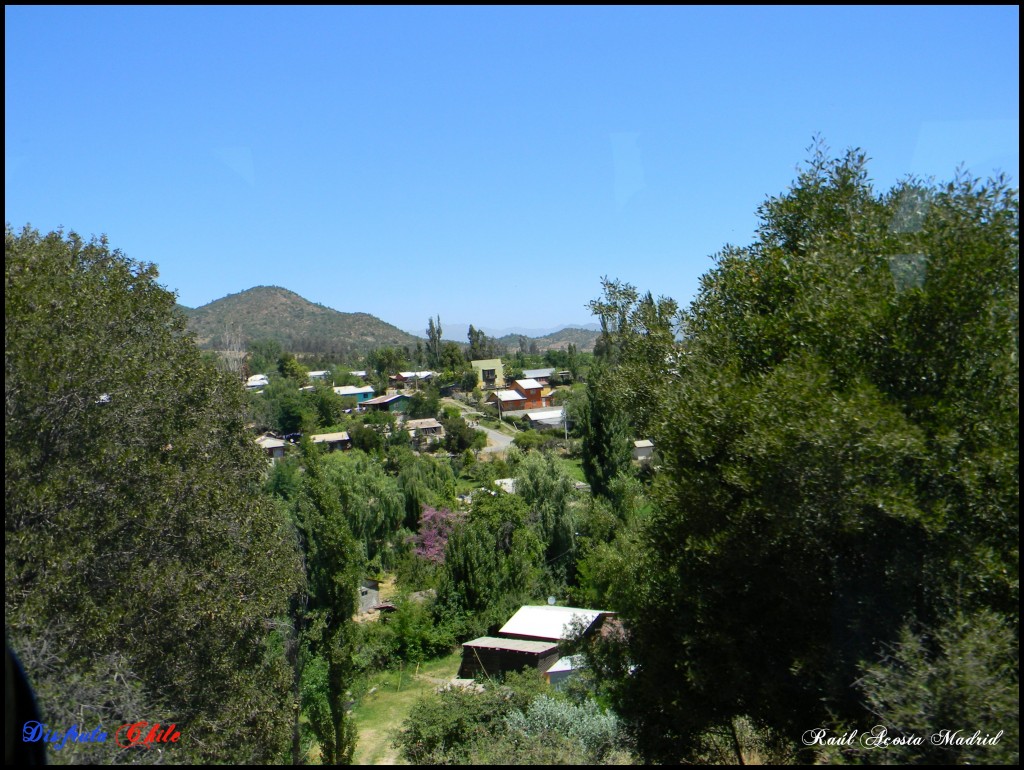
{"x": 841, "y": 466}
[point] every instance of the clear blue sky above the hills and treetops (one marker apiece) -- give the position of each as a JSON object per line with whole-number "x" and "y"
{"x": 488, "y": 165}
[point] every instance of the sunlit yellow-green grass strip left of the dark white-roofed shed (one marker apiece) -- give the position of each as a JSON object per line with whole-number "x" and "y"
{"x": 379, "y": 716}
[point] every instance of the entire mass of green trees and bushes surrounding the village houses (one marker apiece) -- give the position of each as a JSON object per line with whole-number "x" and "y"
{"x": 828, "y": 538}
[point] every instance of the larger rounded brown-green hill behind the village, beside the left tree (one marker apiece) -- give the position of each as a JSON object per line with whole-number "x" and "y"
{"x": 301, "y": 326}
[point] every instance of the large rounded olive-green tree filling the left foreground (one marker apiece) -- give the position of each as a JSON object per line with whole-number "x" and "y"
{"x": 146, "y": 575}
